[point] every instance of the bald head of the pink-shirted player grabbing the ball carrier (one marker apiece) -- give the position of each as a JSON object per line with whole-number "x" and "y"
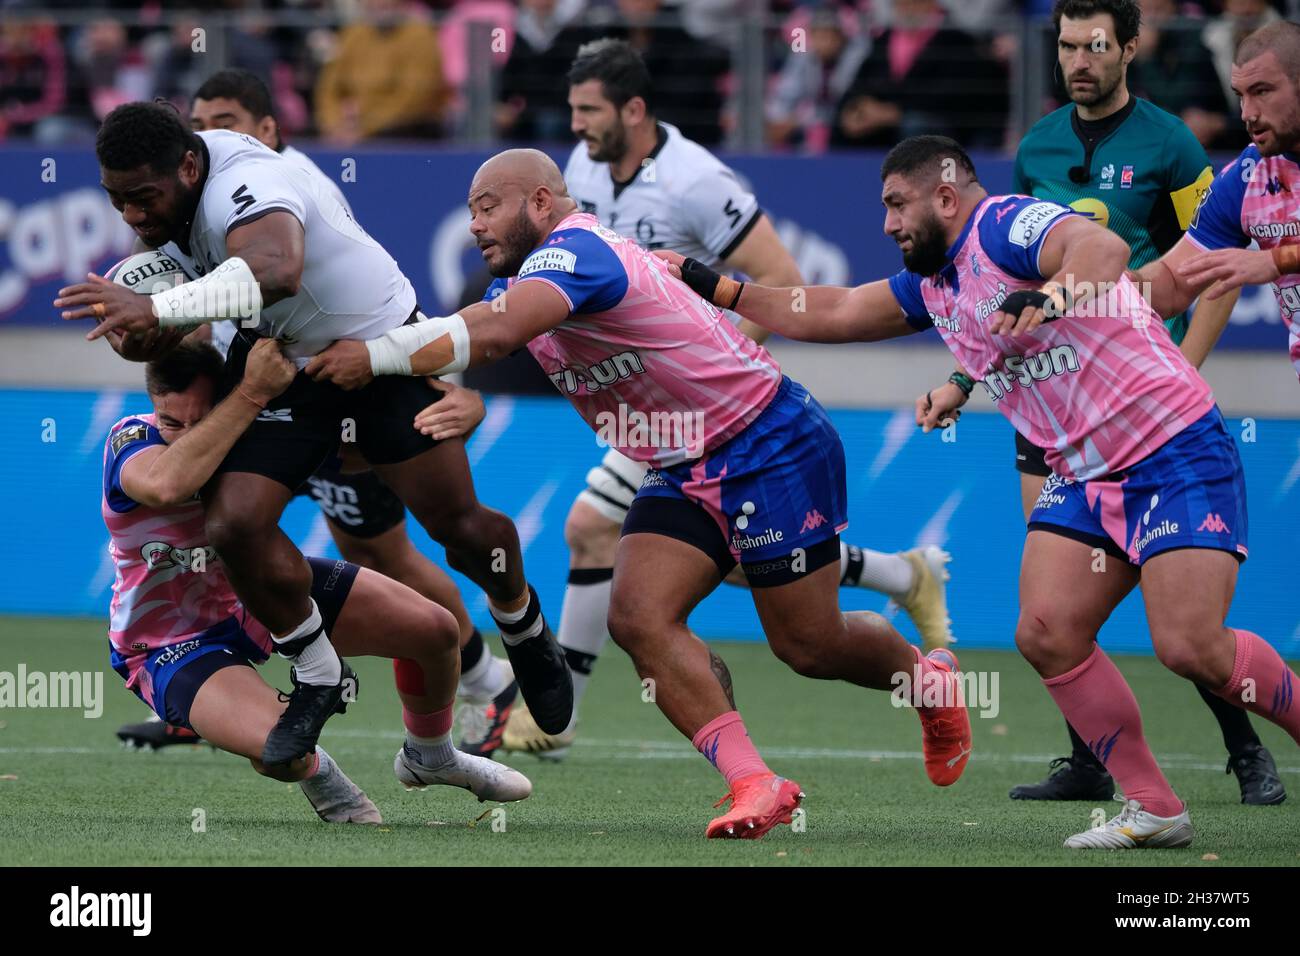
{"x": 517, "y": 200}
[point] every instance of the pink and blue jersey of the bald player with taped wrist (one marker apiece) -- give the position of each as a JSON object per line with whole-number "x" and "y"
{"x": 643, "y": 349}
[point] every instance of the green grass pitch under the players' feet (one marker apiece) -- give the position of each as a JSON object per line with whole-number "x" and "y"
{"x": 632, "y": 793}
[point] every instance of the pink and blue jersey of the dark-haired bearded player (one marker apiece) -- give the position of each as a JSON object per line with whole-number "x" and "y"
{"x": 1100, "y": 388}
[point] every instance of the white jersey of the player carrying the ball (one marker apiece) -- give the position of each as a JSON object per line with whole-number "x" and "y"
{"x": 352, "y": 288}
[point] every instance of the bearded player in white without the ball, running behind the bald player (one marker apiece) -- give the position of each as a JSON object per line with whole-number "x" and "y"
{"x": 648, "y": 183}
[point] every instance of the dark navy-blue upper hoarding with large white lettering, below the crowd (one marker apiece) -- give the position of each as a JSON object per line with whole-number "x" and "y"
{"x": 57, "y": 224}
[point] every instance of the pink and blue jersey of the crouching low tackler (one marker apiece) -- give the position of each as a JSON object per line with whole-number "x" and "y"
{"x": 161, "y": 598}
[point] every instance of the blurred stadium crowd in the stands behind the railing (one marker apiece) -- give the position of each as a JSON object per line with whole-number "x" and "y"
{"x": 839, "y": 75}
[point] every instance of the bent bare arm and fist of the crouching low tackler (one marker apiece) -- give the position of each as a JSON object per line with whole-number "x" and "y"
{"x": 167, "y": 475}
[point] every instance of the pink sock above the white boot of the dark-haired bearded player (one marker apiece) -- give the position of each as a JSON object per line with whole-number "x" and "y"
{"x": 1098, "y": 703}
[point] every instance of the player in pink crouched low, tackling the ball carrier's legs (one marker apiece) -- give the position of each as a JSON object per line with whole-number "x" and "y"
{"x": 187, "y": 646}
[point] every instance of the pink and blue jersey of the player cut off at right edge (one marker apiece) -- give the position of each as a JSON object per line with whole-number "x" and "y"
{"x": 1256, "y": 198}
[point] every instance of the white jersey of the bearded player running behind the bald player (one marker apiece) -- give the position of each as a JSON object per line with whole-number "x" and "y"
{"x": 683, "y": 198}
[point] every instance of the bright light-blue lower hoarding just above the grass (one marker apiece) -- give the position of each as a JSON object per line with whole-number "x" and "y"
{"x": 531, "y": 457}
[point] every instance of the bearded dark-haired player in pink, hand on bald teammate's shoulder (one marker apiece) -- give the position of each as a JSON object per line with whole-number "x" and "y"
{"x": 1145, "y": 470}
